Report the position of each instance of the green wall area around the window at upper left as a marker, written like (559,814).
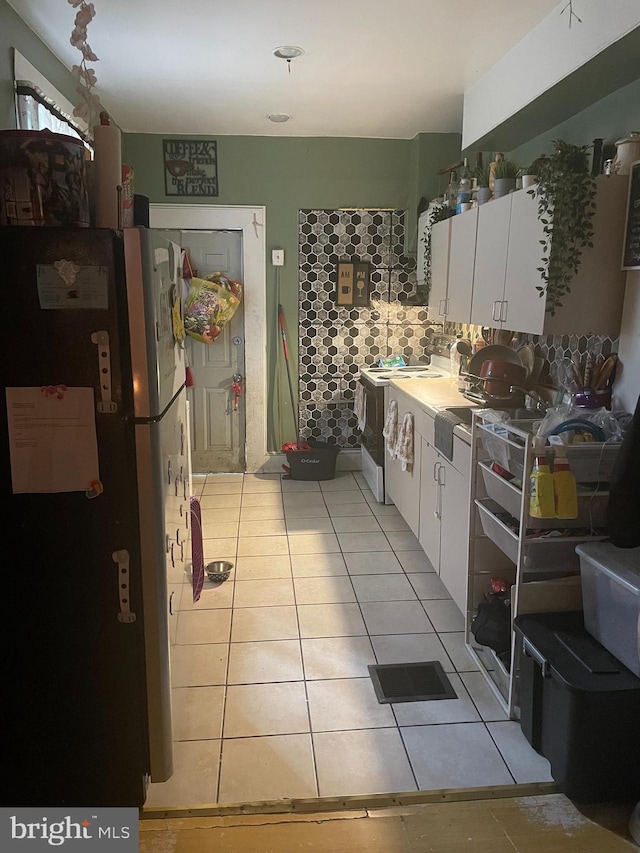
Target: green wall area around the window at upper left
(15,33)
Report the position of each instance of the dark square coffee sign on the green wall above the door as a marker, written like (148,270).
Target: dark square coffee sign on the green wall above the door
(190,167)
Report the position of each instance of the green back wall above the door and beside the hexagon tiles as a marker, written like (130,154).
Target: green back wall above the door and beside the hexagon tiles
(289,173)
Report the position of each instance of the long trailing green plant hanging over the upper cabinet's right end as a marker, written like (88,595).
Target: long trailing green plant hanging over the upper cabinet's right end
(565,193)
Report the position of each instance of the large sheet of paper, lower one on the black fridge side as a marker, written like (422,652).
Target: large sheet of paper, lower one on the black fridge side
(53,443)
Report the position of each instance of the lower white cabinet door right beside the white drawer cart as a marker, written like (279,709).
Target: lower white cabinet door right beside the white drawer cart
(454,533)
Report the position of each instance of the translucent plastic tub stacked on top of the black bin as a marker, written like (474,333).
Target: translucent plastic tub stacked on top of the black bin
(611,599)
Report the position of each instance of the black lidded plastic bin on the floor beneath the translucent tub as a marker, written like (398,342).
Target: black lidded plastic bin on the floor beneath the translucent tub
(579,708)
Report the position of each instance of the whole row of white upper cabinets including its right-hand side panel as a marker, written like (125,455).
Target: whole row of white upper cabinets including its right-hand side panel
(494,256)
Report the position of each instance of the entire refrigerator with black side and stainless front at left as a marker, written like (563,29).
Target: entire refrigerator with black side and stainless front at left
(95,496)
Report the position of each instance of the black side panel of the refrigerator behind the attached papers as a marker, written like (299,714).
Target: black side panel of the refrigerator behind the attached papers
(75,712)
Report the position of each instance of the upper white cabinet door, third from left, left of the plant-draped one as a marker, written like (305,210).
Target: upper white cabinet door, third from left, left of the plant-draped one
(490,262)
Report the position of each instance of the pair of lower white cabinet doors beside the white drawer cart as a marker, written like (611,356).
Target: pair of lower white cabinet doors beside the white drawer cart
(444,523)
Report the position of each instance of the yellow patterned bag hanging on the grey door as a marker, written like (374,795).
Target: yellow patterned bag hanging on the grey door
(211,302)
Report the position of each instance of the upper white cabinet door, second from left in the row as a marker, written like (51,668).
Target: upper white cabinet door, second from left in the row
(461,261)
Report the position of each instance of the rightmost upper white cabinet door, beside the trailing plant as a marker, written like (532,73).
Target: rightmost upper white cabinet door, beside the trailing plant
(524,308)
